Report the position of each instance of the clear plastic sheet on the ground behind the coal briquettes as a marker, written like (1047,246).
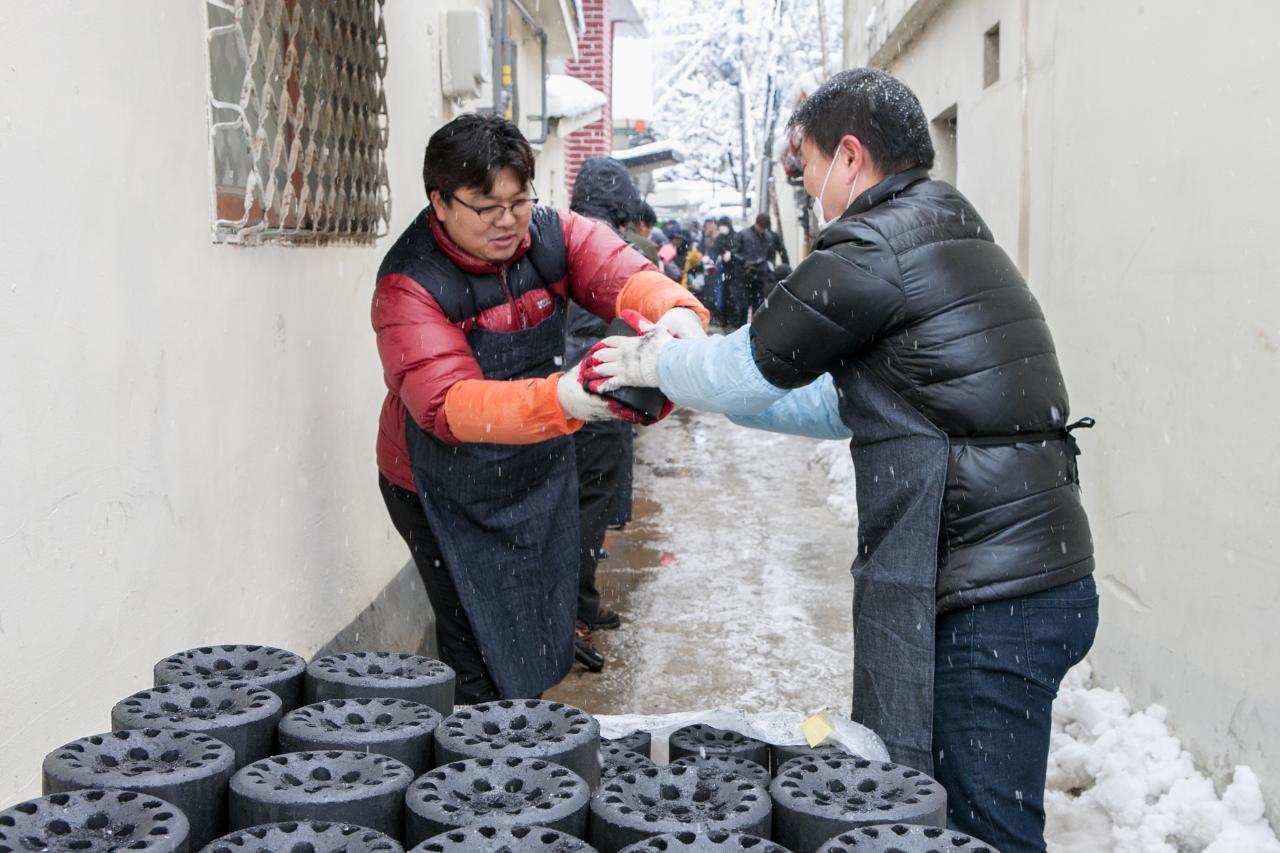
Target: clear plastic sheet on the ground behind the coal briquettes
(779,728)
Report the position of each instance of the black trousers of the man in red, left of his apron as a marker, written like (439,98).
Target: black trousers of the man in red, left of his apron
(454,635)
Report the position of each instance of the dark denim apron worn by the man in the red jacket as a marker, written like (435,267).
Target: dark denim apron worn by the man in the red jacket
(506,519)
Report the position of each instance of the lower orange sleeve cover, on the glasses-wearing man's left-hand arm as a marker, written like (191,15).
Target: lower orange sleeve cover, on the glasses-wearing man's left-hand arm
(520,412)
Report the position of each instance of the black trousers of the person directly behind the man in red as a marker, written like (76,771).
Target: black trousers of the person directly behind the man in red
(598,450)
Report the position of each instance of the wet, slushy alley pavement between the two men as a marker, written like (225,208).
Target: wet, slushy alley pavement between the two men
(733,581)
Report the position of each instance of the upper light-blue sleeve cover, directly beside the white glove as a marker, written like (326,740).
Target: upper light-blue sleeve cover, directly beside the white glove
(717,375)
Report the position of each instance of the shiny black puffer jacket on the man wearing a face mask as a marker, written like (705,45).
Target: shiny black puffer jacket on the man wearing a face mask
(912,284)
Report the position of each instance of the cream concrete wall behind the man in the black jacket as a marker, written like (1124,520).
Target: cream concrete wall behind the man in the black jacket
(1127,159)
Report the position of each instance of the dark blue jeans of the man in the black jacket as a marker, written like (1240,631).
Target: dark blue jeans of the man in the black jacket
(996,674)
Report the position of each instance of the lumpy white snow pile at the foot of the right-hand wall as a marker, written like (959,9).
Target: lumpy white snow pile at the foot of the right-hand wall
(1118,781)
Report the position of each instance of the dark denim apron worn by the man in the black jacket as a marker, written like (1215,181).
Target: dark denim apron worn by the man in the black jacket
(900,466)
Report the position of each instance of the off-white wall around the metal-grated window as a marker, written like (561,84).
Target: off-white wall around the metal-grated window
(186,430)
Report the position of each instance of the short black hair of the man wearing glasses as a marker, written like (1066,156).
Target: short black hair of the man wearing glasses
(472,150)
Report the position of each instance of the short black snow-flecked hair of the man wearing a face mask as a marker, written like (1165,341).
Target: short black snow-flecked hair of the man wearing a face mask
(875,107)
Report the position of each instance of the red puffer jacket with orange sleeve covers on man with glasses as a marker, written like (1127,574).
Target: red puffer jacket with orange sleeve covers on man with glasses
(432,373)
